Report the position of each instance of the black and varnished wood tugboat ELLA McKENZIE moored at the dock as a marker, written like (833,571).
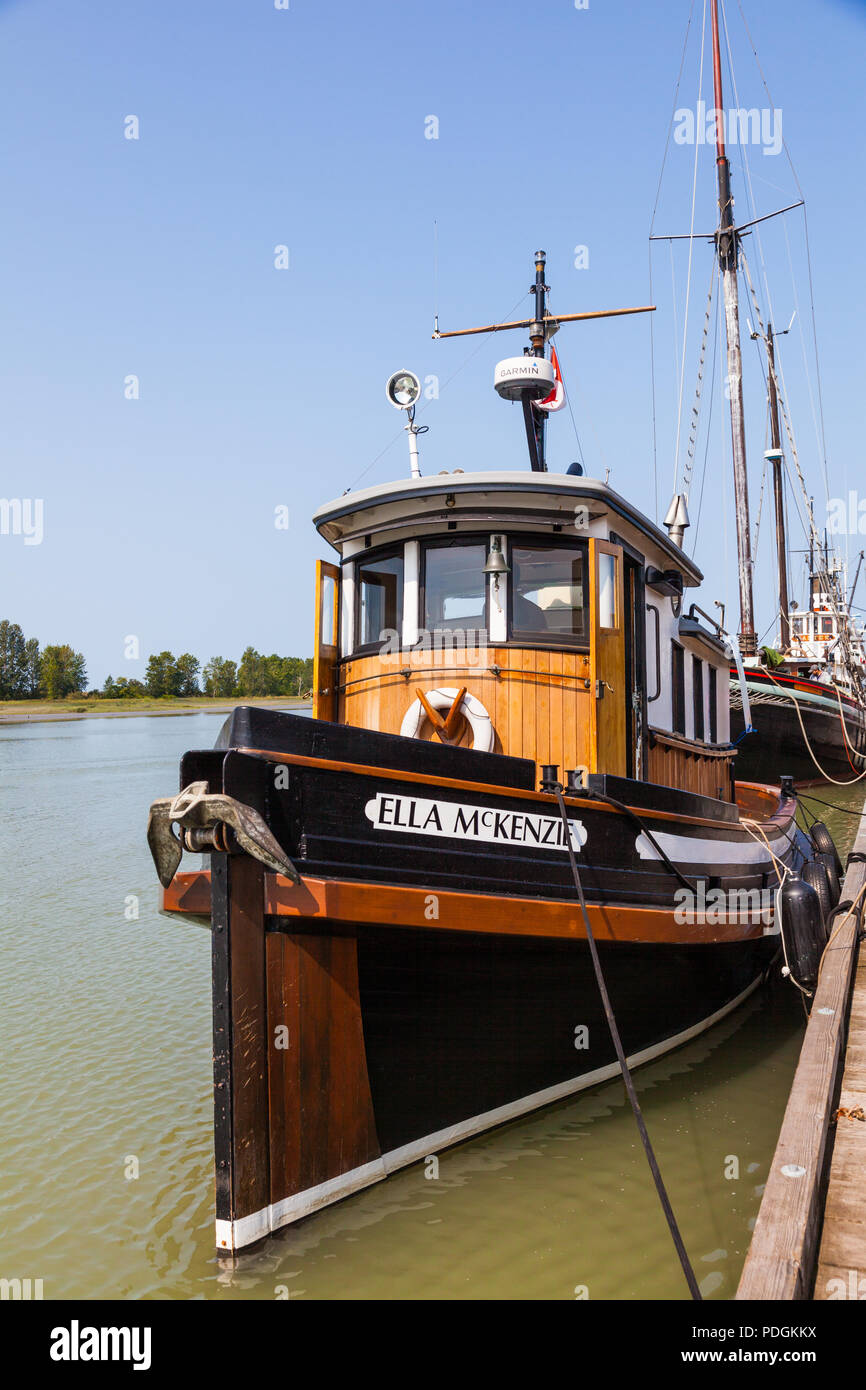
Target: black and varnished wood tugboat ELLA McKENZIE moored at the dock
(400,961)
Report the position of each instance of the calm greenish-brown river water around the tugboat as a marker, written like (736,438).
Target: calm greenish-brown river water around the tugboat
(106,1042)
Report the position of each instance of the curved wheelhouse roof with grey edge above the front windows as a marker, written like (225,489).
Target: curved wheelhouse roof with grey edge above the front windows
(525,497)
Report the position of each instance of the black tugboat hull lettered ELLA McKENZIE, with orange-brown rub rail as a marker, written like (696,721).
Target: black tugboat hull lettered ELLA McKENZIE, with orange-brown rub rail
(426,975)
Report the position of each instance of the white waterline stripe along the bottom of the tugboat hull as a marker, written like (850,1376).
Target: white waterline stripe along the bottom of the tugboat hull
(236,1235)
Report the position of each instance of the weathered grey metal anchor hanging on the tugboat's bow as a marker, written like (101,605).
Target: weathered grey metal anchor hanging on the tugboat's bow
(211,821)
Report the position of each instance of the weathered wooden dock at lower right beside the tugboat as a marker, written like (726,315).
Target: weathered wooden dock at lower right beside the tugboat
(811,1229)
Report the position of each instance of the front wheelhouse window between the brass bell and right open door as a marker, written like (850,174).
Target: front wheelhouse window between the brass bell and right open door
(548,587)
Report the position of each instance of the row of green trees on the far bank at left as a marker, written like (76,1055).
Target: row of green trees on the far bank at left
(56,672)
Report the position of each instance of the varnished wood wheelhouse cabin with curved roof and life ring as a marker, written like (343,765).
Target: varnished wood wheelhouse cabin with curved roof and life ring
(547,603)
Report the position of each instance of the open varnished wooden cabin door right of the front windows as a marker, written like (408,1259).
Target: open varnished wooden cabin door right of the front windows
(611,692)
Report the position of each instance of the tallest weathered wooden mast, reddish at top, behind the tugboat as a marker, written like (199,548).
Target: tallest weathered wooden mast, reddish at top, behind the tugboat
(728,244)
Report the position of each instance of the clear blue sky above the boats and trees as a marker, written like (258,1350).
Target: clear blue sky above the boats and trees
(261,387)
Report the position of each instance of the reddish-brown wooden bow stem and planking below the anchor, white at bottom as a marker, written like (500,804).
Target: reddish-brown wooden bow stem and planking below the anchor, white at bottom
(294,1121)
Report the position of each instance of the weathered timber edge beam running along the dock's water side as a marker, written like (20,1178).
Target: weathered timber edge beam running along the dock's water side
(783,1256)
